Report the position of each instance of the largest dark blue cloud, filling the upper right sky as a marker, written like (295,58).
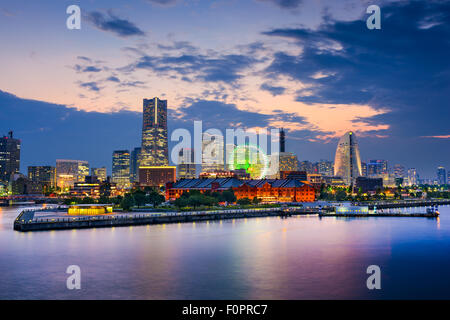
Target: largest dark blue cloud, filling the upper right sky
(403,68)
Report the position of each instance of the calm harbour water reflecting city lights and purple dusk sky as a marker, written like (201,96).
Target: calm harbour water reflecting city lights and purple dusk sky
(265,258)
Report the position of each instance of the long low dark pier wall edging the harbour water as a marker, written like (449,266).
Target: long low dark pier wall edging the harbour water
(26,221)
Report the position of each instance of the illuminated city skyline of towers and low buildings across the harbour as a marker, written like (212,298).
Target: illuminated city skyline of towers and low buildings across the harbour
(148,166)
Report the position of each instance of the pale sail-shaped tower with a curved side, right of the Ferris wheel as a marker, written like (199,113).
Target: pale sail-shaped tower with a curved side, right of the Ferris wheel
(347,163)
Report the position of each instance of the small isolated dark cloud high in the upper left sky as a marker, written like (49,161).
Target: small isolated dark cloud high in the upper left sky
(111,23)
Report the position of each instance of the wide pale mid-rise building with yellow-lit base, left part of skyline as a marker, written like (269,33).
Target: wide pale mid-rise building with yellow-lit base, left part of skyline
(70,171)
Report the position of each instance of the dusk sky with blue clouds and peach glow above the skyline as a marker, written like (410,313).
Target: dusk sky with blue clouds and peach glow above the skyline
(309,66)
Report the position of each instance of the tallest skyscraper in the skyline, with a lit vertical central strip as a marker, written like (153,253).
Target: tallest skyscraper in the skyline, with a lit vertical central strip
(154,149)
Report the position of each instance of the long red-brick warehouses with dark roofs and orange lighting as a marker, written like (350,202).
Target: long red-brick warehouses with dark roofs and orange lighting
(266,190)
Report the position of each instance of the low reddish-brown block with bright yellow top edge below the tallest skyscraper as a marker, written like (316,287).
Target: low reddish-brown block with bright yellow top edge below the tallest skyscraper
(156,176)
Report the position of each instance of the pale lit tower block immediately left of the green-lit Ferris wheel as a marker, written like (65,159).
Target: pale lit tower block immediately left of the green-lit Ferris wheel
(212,152)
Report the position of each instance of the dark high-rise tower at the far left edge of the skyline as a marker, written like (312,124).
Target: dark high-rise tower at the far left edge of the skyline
(9,157)
